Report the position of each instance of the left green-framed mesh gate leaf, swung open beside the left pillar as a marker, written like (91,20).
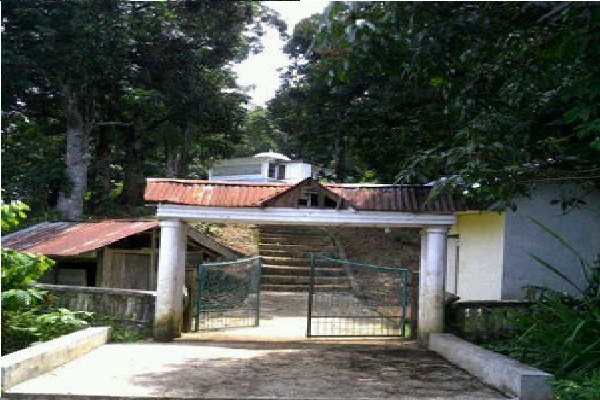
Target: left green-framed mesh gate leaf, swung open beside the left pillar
(228,295)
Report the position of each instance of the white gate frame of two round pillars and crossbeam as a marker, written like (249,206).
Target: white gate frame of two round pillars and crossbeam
(171,259)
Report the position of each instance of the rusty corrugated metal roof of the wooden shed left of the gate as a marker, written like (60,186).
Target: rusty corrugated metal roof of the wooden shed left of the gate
(70,238)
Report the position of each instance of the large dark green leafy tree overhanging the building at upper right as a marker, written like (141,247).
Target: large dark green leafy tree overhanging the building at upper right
(497,78)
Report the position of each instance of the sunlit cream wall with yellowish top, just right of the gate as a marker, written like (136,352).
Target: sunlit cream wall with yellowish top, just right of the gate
(480,255)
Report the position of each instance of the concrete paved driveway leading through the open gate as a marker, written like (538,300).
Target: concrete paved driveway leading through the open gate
(236,366)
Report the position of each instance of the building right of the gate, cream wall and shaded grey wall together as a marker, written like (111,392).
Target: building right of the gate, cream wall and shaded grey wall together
(489,253)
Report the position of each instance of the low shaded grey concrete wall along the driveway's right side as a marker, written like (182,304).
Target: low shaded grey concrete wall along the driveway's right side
(508,375)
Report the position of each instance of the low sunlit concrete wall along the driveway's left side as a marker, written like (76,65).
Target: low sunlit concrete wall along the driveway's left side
(36,360)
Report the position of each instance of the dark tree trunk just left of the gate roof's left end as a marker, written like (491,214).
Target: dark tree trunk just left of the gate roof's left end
(133,179)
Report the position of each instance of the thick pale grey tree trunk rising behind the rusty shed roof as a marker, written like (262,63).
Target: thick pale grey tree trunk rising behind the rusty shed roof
(70,199)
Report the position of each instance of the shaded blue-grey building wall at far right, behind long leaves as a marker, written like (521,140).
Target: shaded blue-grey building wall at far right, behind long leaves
(579,227)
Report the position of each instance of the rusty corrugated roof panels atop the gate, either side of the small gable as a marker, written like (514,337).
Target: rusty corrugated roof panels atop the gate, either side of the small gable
(367,197)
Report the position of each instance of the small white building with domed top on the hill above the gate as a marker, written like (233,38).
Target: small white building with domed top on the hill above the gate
(263,167)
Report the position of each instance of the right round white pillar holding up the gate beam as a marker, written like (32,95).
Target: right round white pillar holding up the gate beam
(431,281)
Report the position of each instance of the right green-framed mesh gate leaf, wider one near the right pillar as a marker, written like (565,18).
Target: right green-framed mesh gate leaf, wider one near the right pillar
(354,299)
